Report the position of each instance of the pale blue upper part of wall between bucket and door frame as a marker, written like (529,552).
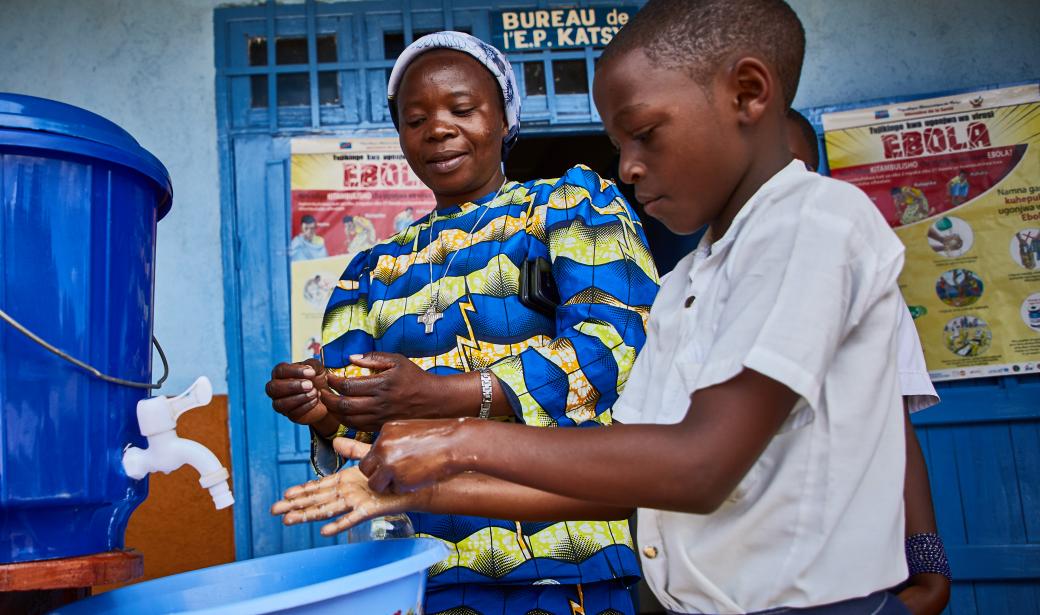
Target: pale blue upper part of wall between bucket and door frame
(148,66)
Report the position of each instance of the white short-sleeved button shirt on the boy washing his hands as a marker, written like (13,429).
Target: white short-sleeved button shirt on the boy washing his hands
(802,289)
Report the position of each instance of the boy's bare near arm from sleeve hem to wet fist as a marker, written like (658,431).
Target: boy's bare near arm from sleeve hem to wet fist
(692,467)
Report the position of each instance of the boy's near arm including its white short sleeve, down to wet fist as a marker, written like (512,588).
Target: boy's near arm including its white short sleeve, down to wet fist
(771,348)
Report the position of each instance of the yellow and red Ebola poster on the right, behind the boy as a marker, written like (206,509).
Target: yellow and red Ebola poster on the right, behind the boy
(958,178)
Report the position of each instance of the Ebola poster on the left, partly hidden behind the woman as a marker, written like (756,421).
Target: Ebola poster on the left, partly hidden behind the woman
(347,195)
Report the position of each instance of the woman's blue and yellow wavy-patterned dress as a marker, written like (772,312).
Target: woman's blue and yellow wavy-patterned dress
(562,372)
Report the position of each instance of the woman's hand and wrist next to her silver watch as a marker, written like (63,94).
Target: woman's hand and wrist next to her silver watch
(398,390)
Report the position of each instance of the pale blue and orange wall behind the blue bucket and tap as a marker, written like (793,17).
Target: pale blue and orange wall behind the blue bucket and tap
(148,66)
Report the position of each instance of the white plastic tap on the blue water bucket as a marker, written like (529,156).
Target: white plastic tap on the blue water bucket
(167,452)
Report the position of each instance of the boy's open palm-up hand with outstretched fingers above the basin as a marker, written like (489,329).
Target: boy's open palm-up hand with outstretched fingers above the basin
(346,494)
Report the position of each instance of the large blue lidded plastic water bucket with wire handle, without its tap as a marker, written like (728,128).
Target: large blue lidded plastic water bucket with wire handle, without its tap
(80,201)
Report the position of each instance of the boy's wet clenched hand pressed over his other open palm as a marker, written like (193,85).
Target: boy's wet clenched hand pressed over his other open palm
(411,455)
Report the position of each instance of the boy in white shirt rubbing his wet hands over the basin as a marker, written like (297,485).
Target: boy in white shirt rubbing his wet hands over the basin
(769,467)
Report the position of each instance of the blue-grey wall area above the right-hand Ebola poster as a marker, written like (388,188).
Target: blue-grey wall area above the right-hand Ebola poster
(866,49)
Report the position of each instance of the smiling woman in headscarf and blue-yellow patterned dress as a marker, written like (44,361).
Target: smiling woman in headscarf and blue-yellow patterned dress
(515,301)
